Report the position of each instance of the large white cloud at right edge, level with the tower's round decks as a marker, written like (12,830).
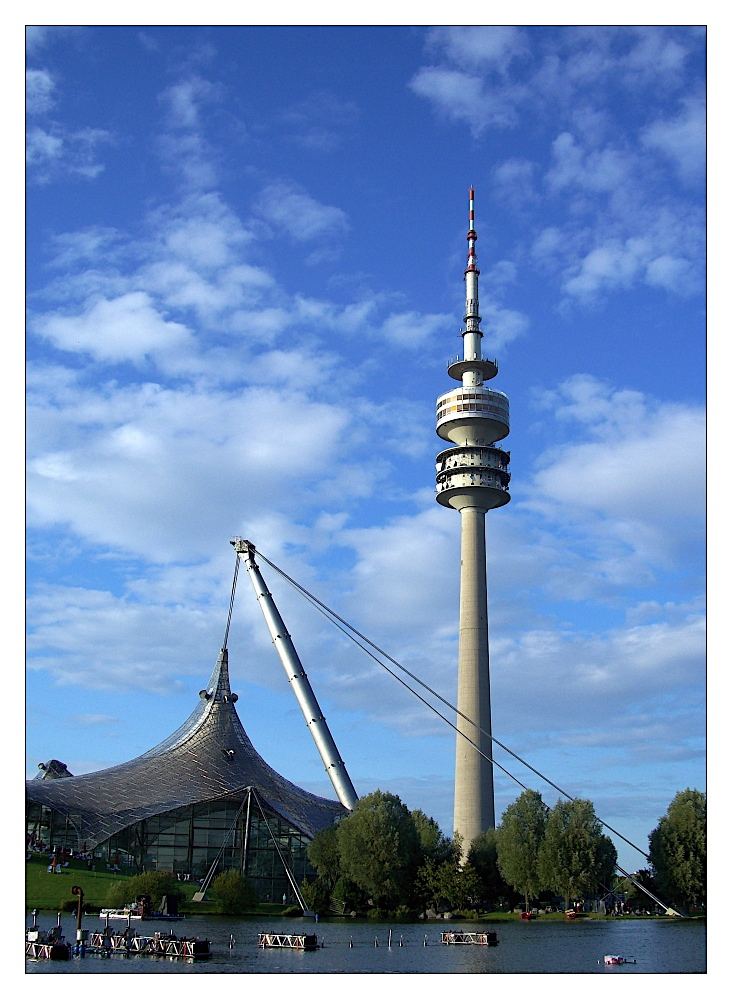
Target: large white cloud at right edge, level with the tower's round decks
(637,479)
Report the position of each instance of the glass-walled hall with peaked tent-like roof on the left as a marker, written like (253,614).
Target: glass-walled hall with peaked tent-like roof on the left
(201,793)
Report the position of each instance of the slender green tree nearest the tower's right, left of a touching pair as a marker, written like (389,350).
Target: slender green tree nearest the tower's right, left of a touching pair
(518,841)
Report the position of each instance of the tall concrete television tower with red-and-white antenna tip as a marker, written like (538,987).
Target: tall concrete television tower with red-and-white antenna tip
(473,477)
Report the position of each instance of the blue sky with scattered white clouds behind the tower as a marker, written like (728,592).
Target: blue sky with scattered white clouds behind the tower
(244,279)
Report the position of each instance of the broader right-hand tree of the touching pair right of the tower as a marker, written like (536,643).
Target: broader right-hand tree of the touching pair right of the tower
(575,857)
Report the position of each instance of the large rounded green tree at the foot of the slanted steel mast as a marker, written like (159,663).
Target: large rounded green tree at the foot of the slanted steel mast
(379,848)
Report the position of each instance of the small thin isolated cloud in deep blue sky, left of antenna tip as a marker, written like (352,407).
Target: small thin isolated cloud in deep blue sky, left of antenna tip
(286,208)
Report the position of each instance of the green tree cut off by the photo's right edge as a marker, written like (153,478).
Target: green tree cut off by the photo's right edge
(678,849)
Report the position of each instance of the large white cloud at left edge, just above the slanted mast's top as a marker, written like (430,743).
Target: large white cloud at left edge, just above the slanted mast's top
(158,472)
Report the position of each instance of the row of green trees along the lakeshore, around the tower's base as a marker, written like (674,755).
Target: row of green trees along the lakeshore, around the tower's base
(386,859)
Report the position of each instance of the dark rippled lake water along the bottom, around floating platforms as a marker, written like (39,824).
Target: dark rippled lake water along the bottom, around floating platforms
(659,946)
